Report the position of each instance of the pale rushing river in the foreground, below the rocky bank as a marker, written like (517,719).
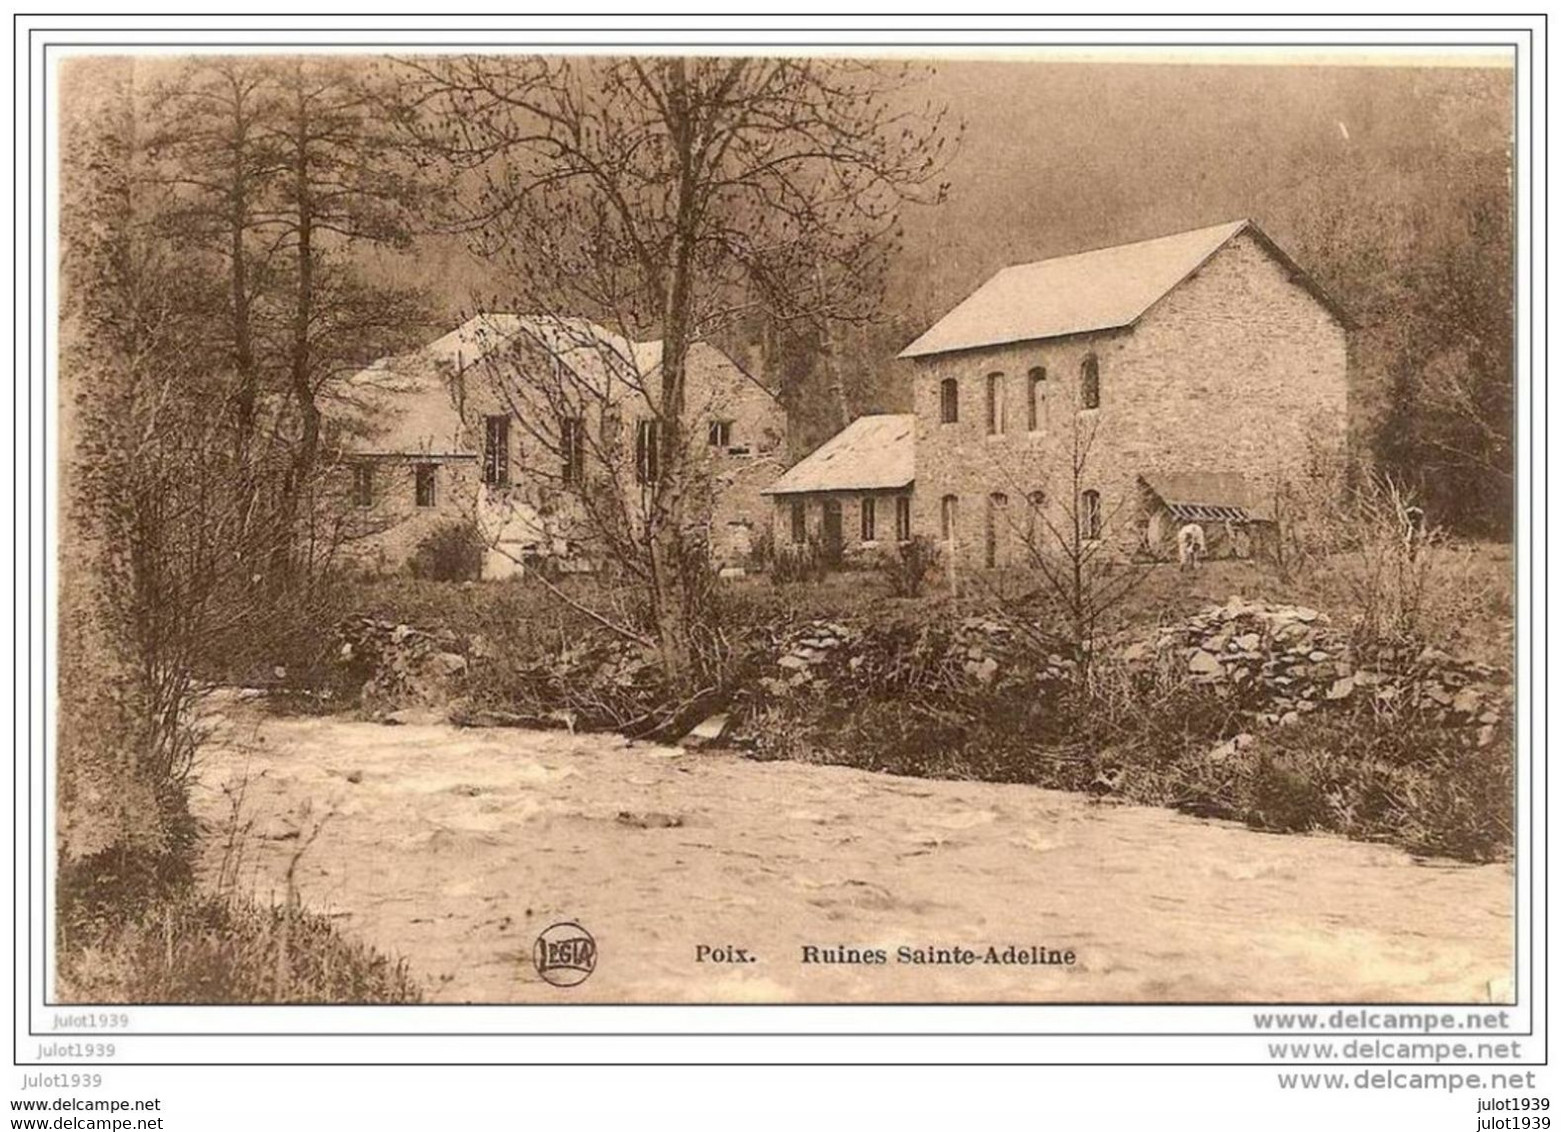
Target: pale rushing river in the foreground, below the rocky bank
(457,849)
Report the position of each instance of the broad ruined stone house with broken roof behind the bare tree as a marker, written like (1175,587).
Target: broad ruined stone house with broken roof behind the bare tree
(507,421)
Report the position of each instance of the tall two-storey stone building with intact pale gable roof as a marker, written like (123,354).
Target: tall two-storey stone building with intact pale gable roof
(1131,388)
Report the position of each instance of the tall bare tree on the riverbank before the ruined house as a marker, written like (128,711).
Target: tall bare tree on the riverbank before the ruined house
(666,198)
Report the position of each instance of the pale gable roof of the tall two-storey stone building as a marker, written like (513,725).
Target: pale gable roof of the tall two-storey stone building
(1090,291)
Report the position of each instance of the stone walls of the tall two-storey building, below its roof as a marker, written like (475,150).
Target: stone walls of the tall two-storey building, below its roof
(1234,371)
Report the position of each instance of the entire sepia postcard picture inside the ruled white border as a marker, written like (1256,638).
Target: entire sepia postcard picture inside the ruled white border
(786,527)
